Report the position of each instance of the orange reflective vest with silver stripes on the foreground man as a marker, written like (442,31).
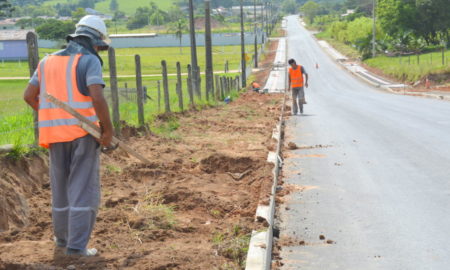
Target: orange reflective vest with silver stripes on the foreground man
(57,77)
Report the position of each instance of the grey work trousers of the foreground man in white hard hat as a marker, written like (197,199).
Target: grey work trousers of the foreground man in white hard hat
(75,183)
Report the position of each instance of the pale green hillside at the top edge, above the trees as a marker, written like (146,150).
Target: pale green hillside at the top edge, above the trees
(129,7)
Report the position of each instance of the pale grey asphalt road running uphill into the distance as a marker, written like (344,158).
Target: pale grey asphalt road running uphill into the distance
(379,186)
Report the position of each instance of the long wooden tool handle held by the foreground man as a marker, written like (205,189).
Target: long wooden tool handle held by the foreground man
(92,129)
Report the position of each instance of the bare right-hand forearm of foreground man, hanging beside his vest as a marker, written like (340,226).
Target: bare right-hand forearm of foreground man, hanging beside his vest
(102,111)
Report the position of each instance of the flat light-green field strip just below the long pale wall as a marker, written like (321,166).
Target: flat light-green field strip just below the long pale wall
(150,60)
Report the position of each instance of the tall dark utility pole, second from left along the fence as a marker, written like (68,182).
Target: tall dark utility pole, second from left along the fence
(208,48)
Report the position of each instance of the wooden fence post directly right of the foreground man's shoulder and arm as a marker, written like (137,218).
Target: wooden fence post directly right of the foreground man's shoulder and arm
(114,90)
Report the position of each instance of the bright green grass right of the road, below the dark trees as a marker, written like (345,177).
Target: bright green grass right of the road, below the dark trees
(410,68)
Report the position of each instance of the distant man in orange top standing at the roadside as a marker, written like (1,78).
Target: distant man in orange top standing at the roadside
(297,83)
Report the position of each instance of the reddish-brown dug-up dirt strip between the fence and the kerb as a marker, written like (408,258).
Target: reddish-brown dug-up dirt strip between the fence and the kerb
(192,207)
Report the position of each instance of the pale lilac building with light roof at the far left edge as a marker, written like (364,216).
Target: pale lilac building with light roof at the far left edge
(13,45)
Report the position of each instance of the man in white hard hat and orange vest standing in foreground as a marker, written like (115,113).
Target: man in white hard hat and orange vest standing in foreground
(74,76)
